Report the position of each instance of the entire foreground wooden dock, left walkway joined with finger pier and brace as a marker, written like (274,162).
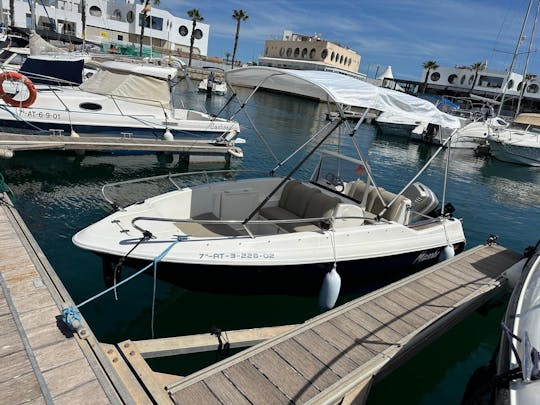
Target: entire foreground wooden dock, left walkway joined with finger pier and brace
(333,357)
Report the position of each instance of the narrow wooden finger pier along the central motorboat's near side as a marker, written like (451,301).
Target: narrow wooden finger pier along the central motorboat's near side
(338,354)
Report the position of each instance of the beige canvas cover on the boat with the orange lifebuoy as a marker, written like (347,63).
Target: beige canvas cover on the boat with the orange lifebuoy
(143,89)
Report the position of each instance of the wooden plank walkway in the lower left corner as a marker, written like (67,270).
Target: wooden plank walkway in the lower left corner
(41,361)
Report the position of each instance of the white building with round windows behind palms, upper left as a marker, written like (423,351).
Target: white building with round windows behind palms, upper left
(111,21)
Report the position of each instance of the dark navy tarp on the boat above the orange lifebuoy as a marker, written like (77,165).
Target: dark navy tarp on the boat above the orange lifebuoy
(52,71)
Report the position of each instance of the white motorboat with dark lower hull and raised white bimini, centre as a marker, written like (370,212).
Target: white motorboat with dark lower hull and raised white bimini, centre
(276,234)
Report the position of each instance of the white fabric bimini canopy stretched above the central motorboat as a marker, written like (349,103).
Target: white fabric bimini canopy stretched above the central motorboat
(341,89)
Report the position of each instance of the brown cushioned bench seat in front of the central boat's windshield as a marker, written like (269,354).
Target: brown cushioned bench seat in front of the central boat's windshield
(300,201)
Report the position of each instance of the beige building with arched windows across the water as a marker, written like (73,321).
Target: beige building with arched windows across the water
(309,52)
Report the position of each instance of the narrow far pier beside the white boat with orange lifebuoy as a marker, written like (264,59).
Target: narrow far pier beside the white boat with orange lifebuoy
(10,143)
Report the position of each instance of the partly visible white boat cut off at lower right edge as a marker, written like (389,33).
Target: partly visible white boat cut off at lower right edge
(518,364)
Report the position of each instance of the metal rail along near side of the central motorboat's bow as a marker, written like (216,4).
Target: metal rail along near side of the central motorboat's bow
(326,223)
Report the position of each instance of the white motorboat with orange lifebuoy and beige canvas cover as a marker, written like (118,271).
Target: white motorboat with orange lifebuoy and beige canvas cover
(122,99)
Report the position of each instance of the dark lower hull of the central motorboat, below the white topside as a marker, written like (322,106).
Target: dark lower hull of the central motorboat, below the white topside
(300,279)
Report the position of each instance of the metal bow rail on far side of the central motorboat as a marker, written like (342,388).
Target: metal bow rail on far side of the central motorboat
(204,174)
